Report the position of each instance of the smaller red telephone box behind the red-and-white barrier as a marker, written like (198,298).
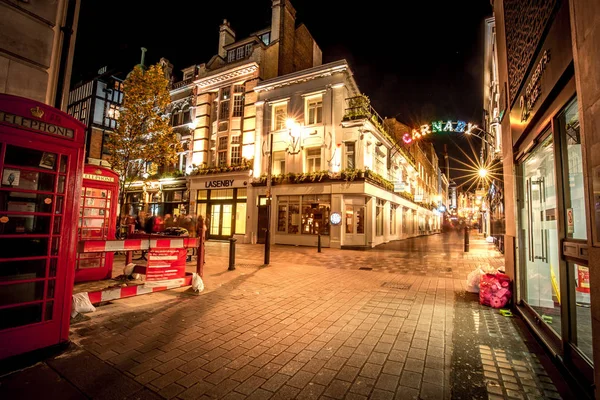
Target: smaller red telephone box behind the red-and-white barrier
(97,221)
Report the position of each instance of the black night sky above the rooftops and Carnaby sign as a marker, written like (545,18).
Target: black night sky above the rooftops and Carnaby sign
(416,60)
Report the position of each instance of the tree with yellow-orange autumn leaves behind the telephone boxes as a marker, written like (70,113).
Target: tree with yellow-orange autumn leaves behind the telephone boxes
(143,136)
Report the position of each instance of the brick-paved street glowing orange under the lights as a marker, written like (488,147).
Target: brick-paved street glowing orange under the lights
(308,326)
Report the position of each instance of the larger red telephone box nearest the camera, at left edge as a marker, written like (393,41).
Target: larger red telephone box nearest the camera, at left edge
(41,164)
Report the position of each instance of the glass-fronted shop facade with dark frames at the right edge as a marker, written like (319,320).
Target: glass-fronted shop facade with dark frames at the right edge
(547,72)
